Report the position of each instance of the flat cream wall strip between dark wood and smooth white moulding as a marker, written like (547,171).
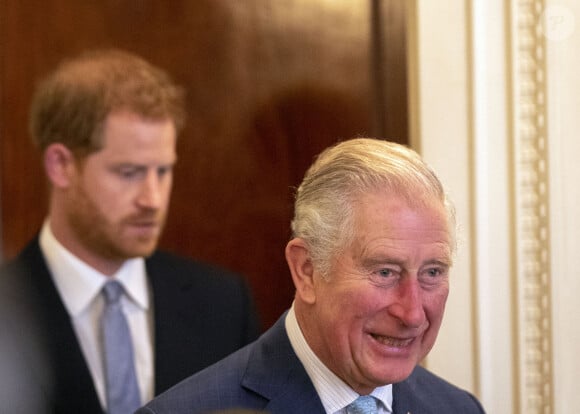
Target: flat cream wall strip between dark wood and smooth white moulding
(440,124)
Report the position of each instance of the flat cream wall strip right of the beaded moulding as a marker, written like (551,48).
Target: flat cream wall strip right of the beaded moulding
(563,52)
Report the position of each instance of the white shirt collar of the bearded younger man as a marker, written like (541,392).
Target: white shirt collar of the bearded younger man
(79,284)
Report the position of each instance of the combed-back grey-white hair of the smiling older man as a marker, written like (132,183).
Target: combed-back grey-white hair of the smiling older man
(334,184)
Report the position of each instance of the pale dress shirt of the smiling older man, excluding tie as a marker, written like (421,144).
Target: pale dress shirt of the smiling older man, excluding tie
(334,393)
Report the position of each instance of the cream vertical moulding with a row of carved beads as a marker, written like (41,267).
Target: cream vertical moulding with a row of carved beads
(532,209)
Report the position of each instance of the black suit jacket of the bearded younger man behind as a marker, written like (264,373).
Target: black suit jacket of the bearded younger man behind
(201,314)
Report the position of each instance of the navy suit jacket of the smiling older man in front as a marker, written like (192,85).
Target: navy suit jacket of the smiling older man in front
(267,376)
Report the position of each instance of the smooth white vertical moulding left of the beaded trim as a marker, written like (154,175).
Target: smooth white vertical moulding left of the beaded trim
(491,204)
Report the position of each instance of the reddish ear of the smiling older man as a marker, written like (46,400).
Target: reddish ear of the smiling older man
(302,270)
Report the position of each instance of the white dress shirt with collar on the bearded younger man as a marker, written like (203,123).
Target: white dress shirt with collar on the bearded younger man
(79,286)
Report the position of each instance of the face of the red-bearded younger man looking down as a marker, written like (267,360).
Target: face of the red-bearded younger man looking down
(120,194)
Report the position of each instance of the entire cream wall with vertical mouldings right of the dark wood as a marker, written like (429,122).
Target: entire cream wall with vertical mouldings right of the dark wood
(496,107)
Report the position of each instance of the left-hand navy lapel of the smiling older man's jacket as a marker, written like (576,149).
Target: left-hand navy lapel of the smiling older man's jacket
(275,372)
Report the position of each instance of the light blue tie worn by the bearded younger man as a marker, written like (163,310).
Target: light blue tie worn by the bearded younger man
(120,379)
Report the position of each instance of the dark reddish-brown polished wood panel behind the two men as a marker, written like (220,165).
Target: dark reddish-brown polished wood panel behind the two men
(270,83)
